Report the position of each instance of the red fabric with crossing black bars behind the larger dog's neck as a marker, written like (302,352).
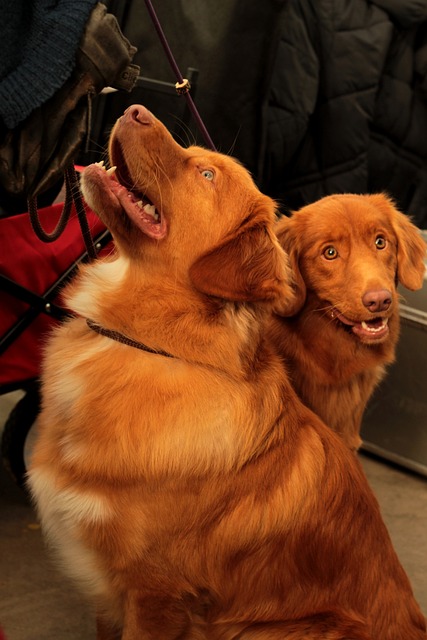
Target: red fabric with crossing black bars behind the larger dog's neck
(37,266)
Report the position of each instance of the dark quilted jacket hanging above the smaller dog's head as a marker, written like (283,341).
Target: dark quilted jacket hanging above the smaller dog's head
(346,107)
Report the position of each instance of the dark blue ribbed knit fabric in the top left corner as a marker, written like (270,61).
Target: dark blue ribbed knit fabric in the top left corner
(39,42)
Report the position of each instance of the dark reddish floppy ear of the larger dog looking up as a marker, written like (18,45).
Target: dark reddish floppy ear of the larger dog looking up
(250,266)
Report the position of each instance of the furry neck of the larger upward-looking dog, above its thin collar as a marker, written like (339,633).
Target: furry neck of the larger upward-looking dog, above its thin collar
(164,316)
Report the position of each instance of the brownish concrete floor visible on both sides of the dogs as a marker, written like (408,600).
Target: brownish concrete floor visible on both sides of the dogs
(37,604)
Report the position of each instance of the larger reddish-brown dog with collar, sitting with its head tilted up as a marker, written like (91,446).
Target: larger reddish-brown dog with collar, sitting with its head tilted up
(181,481)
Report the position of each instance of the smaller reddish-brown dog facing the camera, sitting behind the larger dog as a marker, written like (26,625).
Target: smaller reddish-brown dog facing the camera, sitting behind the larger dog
(348,252)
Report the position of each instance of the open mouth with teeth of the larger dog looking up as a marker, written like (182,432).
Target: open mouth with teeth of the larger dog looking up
(136,205)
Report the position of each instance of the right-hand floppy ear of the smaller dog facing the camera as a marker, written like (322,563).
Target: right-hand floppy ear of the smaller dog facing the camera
(411,248)
